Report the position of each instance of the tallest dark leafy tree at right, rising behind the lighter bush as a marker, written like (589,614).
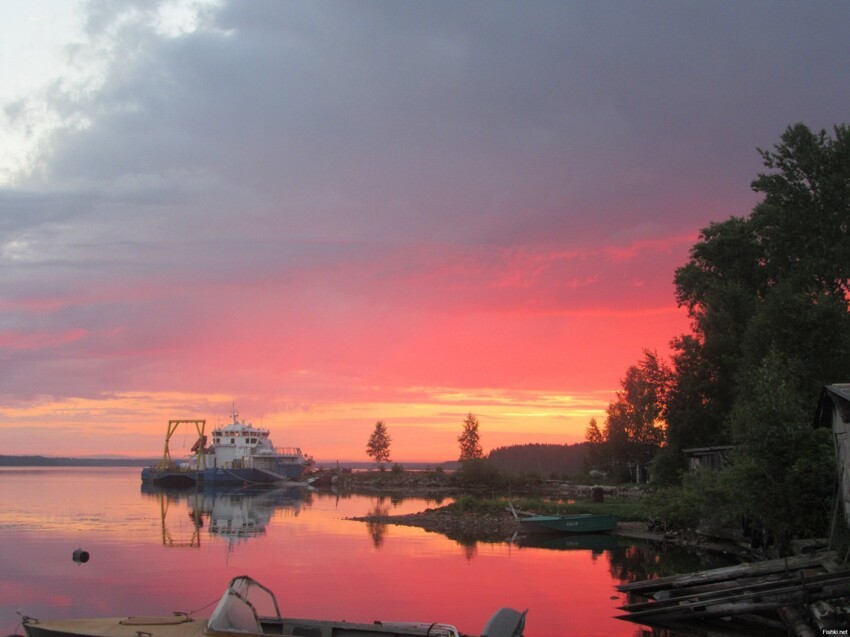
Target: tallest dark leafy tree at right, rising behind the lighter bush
(776,281)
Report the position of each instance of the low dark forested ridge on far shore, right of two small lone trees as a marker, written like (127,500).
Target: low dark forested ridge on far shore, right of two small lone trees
(545,460)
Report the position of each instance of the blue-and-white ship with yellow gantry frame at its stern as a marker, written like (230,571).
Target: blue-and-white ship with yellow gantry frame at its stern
(238,455)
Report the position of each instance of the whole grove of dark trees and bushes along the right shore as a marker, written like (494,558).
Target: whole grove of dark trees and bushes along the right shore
(767,296)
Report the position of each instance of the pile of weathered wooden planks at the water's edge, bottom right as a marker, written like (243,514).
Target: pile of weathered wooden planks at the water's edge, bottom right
(761,598)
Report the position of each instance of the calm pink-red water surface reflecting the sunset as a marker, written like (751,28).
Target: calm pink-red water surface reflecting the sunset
(154,553)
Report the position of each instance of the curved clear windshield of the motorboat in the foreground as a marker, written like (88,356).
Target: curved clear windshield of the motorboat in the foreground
(241,607)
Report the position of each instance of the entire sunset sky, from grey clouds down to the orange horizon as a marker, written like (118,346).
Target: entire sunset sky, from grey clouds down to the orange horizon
(330,213)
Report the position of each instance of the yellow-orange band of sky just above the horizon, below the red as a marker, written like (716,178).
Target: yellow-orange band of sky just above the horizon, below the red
(133,425)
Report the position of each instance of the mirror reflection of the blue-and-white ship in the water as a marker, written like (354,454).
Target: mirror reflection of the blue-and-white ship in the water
(234,514)
